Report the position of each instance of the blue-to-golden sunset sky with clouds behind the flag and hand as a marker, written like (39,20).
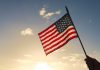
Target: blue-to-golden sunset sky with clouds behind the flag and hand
(22,20)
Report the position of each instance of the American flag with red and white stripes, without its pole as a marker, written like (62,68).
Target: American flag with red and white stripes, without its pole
(58,34)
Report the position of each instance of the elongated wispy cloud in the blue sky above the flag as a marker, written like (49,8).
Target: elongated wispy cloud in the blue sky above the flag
(46,14)
